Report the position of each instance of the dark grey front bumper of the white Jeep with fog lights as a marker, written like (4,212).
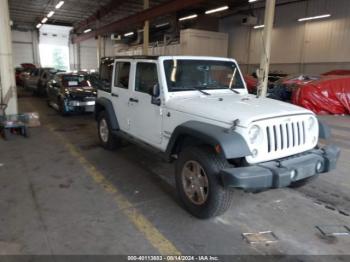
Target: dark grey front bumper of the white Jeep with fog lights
(283,172)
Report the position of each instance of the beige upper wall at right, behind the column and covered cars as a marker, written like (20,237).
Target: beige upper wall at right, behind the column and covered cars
(309,47)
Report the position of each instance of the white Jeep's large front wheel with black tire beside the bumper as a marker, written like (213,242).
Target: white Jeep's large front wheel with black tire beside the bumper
(198,183)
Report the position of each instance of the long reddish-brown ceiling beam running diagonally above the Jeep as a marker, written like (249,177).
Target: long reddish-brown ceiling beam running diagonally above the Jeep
(140,17)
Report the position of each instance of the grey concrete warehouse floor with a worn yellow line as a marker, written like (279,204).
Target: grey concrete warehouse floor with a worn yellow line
(60,193)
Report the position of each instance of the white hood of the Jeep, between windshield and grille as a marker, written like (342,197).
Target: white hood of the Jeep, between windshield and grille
(230,107)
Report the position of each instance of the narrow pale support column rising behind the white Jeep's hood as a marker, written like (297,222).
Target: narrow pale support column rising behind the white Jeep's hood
(263,71)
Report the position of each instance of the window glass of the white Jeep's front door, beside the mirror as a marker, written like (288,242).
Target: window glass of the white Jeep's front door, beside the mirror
(146,77)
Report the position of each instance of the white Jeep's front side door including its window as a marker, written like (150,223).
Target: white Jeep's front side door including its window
(146,118)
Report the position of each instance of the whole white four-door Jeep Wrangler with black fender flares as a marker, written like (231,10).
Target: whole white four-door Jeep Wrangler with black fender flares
(197,111)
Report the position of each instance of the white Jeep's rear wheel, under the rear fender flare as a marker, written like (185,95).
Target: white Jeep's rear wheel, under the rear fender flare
(107,139)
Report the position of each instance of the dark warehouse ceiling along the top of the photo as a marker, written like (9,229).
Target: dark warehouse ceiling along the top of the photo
(92,15)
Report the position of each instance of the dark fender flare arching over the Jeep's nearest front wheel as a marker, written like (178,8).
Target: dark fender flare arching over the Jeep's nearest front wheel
(232,145)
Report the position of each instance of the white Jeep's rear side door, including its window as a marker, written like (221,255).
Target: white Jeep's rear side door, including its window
(121,92)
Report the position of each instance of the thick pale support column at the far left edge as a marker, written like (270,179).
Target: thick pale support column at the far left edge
(8,89)
